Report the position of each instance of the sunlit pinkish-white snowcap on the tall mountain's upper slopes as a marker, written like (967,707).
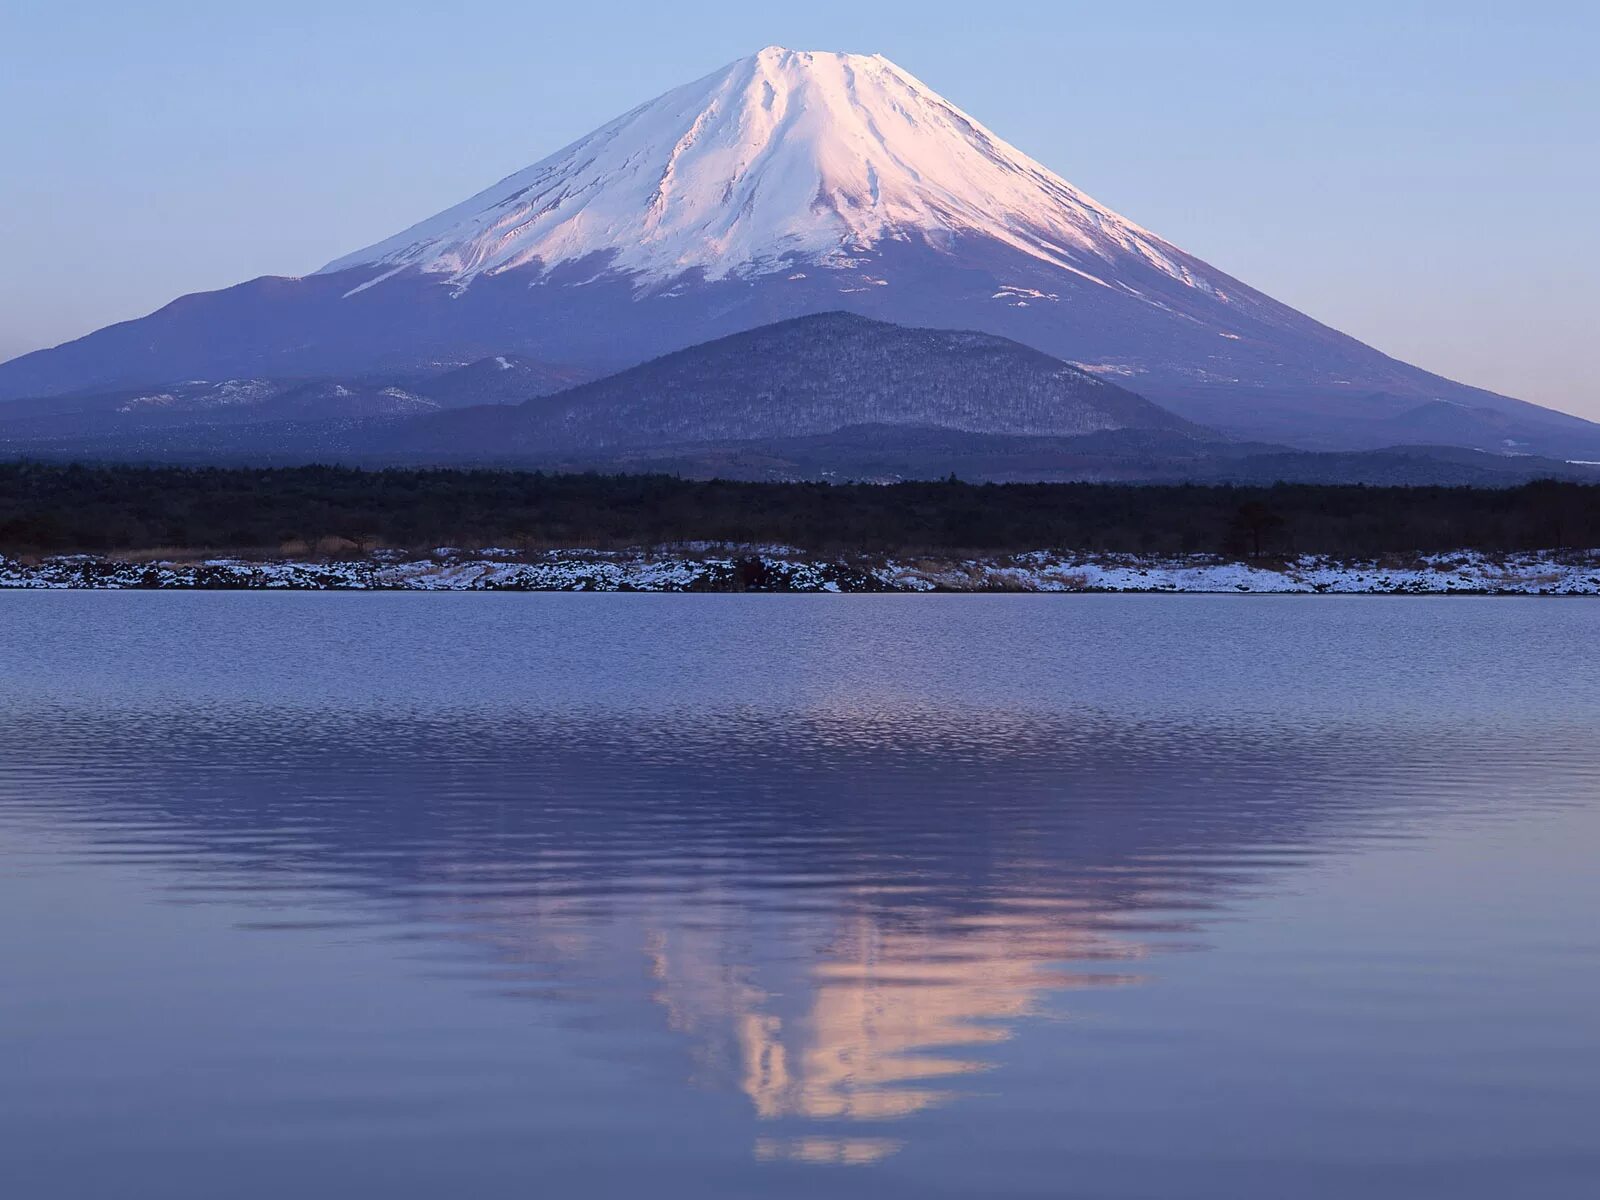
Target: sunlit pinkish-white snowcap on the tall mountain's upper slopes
(778,158)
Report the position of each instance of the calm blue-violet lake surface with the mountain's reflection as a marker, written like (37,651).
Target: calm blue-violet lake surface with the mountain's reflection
(729,897)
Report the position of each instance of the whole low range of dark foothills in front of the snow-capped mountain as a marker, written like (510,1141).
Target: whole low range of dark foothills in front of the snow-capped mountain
(825,398)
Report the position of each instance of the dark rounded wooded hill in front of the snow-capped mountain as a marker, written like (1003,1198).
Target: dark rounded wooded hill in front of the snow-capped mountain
(799,378)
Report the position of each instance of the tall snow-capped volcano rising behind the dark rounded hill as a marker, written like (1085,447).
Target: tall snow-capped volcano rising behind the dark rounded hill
(788,185)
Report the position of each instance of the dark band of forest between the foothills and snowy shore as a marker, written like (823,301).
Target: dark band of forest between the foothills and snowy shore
(50,508)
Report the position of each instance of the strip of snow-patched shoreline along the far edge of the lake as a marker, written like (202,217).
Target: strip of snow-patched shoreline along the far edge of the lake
(778,570)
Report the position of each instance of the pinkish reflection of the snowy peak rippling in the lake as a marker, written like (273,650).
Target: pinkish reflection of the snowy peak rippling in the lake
(889,1017)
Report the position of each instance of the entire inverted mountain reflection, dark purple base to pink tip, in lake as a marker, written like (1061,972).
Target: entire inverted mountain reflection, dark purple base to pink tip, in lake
(839,911)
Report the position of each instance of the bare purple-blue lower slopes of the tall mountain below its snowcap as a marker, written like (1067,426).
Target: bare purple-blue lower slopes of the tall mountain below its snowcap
(398,332)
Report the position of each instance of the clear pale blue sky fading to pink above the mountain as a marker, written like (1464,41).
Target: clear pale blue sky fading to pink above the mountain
(1423,177)
